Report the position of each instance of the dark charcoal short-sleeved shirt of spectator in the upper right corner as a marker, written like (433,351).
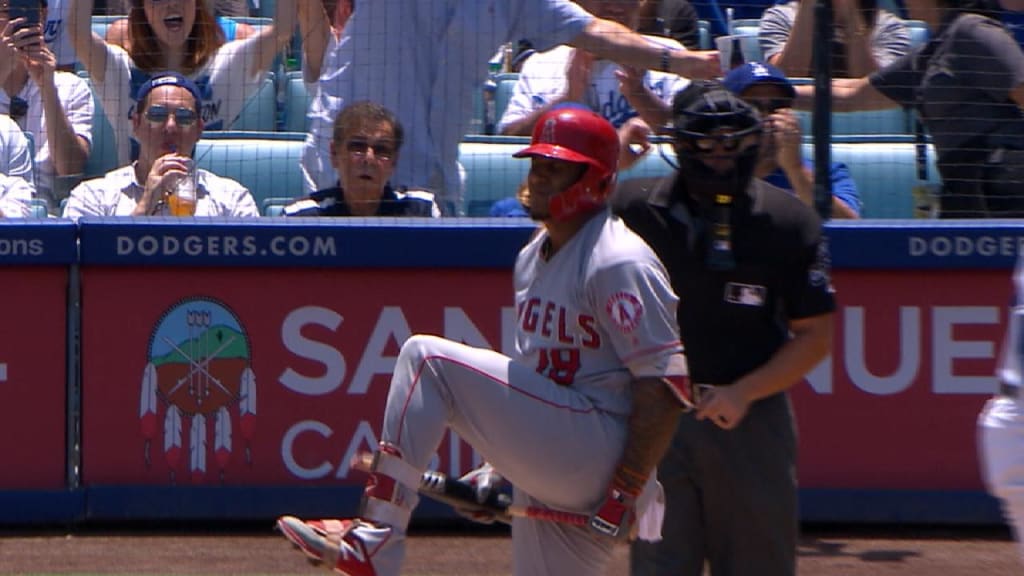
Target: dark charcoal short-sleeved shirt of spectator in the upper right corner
(960,84)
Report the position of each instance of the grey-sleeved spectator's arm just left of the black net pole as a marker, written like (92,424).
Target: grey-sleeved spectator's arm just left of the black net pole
(787,44)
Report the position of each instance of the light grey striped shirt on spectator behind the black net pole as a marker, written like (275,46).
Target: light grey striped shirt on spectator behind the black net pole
(890,37)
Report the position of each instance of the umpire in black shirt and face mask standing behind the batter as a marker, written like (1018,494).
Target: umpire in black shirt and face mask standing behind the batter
(751,268)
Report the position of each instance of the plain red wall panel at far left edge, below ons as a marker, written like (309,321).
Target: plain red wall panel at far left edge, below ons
(33,377)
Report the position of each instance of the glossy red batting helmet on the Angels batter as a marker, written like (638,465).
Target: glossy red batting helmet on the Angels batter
(578,135)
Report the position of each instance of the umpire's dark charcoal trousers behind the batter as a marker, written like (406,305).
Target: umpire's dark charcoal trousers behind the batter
(731,499)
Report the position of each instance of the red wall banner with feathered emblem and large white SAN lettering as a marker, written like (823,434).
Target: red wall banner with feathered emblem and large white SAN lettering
(242,377)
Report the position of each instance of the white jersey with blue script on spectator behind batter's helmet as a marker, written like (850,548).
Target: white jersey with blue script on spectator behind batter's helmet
(542,81)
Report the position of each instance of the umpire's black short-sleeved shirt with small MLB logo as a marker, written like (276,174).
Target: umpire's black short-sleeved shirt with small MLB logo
(733,322)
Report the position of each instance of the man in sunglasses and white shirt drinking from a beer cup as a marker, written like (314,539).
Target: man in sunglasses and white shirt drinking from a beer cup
(167,128)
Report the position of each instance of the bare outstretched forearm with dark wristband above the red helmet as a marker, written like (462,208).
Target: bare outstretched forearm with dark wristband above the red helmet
(610,40)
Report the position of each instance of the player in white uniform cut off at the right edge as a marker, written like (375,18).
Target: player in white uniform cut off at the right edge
(1001,425)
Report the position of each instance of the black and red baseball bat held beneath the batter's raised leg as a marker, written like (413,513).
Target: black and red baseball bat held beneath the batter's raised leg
(451,491)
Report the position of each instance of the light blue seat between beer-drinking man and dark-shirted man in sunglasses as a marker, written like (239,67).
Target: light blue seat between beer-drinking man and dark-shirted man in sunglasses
(267,163)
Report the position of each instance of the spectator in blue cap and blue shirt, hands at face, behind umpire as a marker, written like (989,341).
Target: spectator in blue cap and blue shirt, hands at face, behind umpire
(782,162)
